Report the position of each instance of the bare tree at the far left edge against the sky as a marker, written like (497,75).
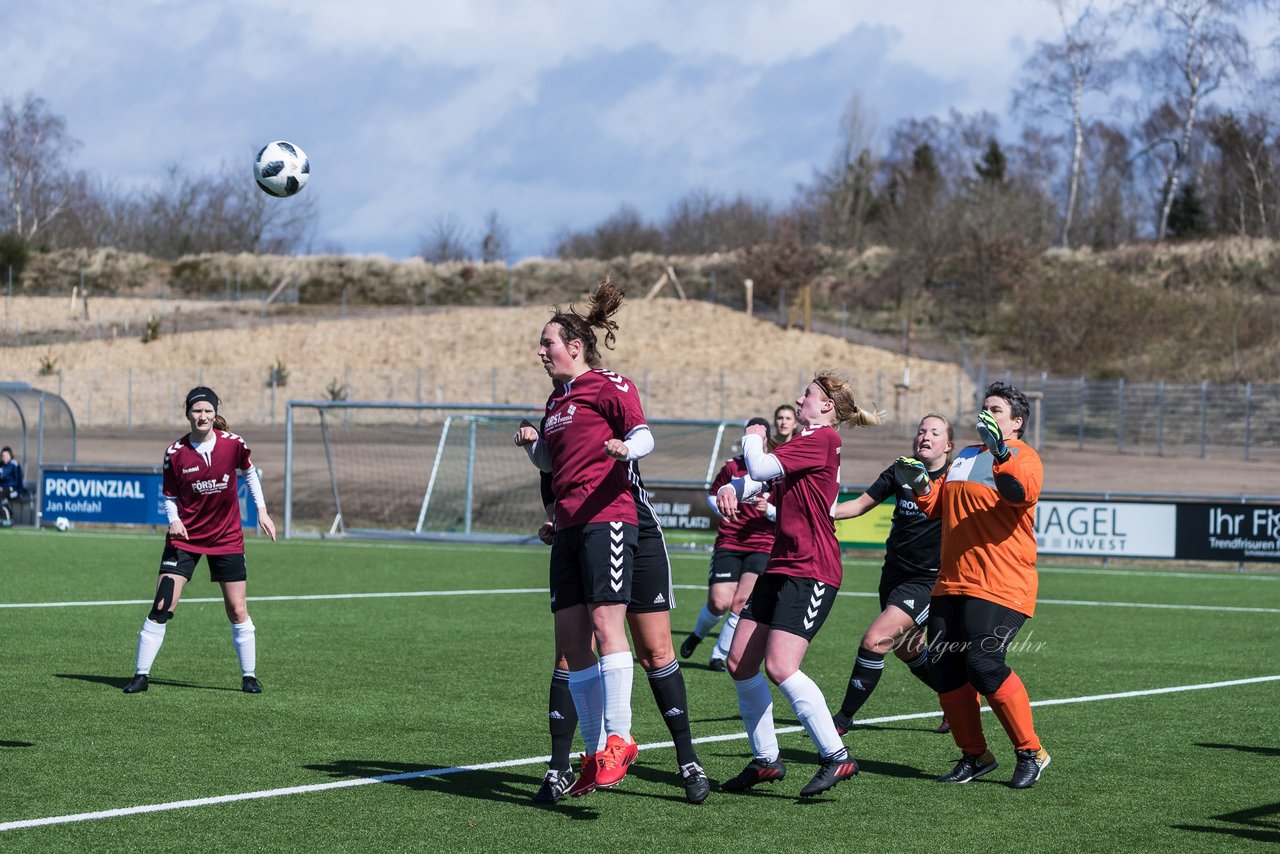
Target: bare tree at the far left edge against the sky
(34,166)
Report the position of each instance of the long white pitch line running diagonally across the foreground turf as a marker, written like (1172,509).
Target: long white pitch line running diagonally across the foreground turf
(511,764)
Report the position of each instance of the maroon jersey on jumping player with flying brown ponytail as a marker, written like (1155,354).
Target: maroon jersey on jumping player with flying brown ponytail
(582,417)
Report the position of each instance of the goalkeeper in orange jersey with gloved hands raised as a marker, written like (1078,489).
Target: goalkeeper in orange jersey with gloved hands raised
(988,582)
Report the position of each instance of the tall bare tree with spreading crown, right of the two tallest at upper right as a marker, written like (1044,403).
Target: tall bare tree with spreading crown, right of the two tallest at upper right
(1200,49)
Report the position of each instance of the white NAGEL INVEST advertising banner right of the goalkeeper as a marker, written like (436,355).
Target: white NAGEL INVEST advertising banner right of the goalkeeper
(1107,529)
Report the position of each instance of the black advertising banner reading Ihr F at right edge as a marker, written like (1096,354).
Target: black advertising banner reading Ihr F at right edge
(1229,532)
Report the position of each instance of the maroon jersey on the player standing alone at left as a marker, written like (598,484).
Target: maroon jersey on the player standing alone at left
(205,491)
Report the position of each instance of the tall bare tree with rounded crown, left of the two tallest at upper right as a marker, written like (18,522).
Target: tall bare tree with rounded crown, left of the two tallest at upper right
(1058,77)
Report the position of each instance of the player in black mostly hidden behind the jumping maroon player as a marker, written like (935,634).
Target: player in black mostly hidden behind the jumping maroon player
(650,620)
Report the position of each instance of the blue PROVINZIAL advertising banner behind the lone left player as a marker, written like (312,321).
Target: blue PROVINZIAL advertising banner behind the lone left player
(116,497)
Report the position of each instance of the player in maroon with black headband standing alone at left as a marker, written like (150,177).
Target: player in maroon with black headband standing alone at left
(200,485)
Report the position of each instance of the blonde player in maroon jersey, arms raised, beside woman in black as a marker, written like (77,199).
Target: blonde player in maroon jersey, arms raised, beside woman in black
(798,590)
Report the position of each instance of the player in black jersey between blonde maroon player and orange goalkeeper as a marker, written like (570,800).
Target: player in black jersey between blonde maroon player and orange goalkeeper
(909,573)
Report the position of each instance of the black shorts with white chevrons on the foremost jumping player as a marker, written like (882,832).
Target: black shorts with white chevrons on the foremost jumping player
(593,565)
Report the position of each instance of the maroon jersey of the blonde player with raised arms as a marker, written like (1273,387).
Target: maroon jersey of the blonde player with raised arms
(806,495)
